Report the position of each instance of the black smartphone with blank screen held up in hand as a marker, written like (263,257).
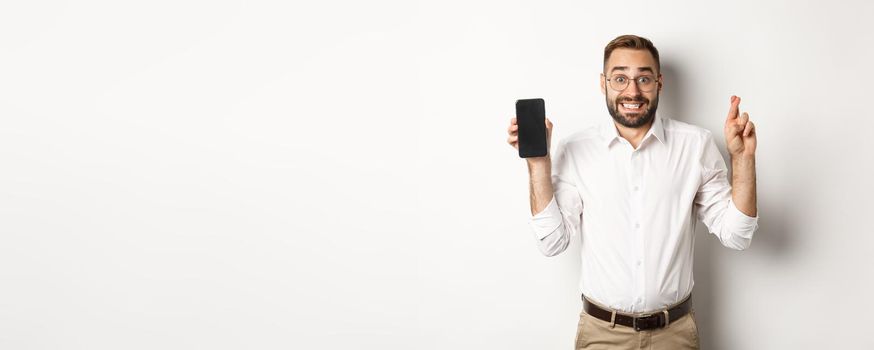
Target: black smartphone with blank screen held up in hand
(530,117)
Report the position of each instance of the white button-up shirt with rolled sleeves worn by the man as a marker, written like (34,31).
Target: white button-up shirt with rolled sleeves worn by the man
(635,210)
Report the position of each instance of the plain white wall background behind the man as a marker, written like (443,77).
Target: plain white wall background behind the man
(334,175)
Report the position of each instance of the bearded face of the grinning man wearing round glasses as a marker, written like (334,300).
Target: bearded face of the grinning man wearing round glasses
(631,107)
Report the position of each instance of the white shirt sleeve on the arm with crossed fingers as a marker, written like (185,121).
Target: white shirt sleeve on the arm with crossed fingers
(714,205)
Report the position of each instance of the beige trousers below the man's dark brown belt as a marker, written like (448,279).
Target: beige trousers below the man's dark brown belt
(594,333)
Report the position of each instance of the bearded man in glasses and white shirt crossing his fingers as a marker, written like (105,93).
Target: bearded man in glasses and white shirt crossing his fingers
(631,190)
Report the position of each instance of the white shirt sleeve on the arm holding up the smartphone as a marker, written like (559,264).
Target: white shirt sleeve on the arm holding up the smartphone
(561,220)
